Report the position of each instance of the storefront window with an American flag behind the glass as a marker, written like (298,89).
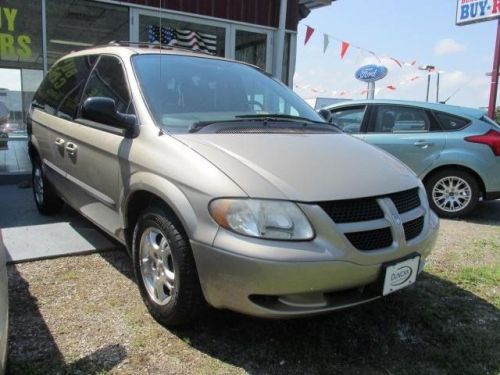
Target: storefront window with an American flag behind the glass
(210,39)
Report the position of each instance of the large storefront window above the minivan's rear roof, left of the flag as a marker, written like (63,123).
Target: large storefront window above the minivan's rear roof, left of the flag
(74,25)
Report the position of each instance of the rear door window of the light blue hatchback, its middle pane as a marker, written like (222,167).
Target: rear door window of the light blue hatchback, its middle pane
(399,119)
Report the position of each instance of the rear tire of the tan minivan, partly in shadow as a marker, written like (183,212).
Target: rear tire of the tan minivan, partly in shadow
(47,201)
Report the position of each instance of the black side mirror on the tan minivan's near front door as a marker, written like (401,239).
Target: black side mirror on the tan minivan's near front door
(103,110)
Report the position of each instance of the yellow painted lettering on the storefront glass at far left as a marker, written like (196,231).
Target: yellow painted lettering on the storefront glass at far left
(13,46)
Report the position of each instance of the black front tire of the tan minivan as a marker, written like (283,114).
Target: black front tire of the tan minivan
(185,300)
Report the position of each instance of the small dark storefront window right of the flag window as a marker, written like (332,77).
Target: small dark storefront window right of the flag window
(251,48)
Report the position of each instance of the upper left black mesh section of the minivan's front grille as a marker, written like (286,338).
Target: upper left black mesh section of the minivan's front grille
(352,210)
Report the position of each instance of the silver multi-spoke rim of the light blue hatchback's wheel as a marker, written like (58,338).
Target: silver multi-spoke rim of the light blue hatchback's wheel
(452,194)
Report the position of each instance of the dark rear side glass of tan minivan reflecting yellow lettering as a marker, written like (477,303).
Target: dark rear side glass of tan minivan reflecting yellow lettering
(60,91)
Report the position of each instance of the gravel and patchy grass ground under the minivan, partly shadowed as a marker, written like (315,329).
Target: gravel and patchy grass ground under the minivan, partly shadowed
(82,315)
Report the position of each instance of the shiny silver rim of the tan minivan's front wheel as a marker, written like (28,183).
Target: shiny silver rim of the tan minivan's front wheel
(157,266)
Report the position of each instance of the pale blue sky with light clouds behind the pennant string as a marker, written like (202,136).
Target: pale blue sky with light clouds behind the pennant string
(407,30)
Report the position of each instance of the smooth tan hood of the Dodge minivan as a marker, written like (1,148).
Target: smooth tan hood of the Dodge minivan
(303,167)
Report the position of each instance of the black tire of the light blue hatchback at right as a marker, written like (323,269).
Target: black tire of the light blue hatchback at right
(434,180)
